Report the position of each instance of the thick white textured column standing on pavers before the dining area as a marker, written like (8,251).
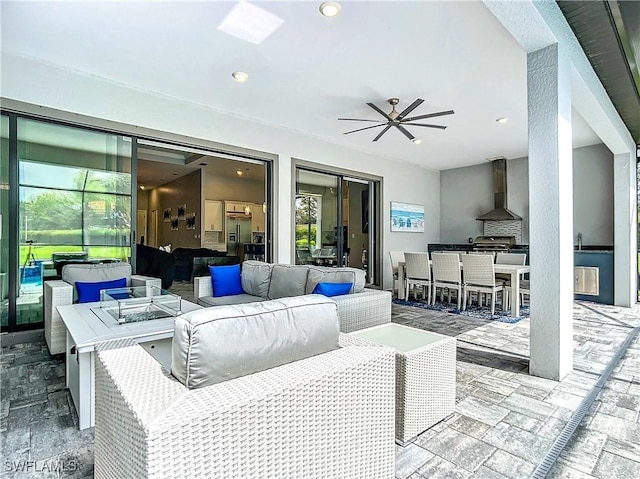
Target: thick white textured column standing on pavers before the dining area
(550,212)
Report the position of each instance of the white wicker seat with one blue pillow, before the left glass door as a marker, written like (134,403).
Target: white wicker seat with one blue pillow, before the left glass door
(62,292)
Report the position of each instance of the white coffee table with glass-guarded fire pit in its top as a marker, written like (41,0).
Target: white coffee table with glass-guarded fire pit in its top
(87,326)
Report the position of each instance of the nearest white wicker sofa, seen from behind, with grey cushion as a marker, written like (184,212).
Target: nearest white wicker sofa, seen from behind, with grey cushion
(327,416)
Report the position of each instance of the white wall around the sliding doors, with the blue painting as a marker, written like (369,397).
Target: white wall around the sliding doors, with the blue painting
(29,81)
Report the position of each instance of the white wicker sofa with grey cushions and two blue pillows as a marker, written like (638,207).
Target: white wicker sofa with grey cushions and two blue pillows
(361,308)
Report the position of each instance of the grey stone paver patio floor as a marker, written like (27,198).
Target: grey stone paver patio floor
(504,423)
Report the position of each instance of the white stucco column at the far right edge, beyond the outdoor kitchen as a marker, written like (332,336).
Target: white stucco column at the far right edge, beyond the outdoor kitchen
(625,253)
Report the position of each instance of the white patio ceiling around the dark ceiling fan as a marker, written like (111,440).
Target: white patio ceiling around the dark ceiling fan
(311,70)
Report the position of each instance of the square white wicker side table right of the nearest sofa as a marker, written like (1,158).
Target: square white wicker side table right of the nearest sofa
(425,374)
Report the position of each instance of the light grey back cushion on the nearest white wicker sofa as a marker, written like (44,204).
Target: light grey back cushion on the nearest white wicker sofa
(216,344)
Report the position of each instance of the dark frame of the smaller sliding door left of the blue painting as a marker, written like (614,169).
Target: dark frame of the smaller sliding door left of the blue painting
(374,266)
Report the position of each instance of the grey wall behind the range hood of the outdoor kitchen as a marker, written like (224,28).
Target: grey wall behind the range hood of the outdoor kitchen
(466,193)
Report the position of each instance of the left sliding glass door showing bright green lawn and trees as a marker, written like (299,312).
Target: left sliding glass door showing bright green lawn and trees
(74,204)
